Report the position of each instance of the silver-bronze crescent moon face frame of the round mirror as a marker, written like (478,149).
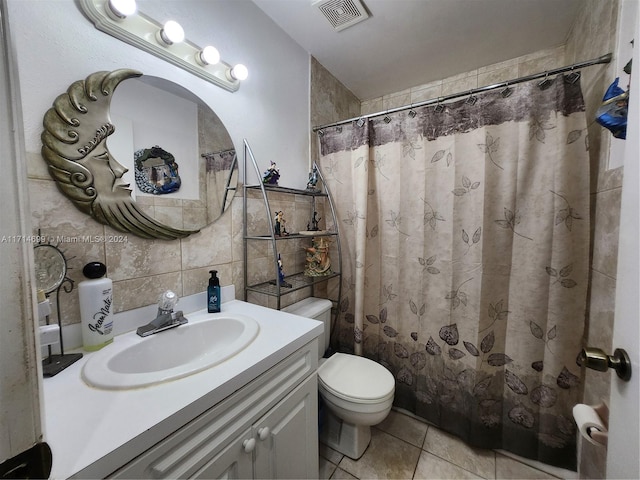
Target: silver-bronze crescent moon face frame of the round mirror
(74,139)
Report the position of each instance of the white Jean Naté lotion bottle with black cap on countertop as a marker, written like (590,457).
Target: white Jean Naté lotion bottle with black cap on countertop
(96,307)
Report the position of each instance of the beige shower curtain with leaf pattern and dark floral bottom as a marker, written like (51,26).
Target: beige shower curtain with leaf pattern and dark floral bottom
(465,233)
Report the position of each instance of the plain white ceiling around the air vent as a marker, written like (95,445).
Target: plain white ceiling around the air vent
(406,43)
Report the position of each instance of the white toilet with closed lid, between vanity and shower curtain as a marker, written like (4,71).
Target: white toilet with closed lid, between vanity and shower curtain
(357,392)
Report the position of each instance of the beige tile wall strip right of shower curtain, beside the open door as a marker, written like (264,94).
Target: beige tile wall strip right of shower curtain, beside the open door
(594,35)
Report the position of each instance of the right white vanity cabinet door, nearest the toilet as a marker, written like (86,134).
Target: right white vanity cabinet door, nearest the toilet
(287,436)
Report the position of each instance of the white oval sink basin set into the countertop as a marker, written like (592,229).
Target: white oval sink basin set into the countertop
(132,361)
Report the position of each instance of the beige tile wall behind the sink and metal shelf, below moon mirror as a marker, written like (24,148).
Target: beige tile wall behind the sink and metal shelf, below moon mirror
(142,269)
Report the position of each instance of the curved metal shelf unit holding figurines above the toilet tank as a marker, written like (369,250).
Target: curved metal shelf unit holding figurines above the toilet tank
(298,281)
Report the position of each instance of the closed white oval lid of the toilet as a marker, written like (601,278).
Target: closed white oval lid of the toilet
(358,378)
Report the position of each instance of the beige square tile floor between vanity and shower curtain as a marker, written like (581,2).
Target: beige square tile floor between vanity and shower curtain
(405,448)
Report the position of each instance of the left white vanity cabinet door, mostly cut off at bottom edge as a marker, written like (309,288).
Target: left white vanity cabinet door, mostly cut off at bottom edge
(234,462)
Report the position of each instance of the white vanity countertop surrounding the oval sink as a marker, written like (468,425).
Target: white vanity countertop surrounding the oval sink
(93,432)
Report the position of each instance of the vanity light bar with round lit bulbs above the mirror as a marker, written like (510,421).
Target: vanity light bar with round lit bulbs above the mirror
(142,31)
